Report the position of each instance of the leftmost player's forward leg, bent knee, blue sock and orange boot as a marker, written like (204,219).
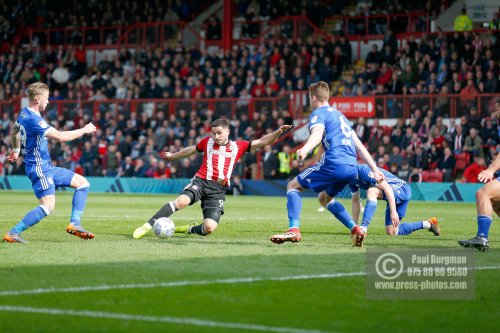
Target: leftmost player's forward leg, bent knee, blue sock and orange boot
(81,186)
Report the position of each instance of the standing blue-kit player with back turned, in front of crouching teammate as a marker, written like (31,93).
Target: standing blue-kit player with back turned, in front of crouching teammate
(335,169)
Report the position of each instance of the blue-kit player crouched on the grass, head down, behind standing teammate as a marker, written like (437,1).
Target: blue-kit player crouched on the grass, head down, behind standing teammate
(396,192)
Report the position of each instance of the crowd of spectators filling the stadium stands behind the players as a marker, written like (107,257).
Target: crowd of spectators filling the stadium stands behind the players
(129,145)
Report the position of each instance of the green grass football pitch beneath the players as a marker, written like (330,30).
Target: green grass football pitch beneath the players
(235,280)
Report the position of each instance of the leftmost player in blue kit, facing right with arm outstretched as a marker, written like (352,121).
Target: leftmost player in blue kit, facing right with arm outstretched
(29,136)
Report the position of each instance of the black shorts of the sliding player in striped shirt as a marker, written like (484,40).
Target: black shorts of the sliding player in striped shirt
(211,194)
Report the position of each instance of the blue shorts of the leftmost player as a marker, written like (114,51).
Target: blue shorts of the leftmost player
(44,180)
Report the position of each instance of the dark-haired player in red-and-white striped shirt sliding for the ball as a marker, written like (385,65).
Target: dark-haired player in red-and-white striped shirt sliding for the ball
(209,184)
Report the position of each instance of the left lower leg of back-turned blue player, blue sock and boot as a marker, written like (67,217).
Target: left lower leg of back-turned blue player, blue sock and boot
(294,207)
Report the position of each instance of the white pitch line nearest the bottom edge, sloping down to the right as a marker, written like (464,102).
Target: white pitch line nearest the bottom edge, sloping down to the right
(163,319)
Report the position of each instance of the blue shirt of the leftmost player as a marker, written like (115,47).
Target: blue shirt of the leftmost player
(32,129)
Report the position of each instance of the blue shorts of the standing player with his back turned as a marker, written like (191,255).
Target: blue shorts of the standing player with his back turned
(331,179)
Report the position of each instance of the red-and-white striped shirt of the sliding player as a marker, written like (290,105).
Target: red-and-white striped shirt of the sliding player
(218,161)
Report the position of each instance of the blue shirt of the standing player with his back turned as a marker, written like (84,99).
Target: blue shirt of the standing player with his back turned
(337,136)
